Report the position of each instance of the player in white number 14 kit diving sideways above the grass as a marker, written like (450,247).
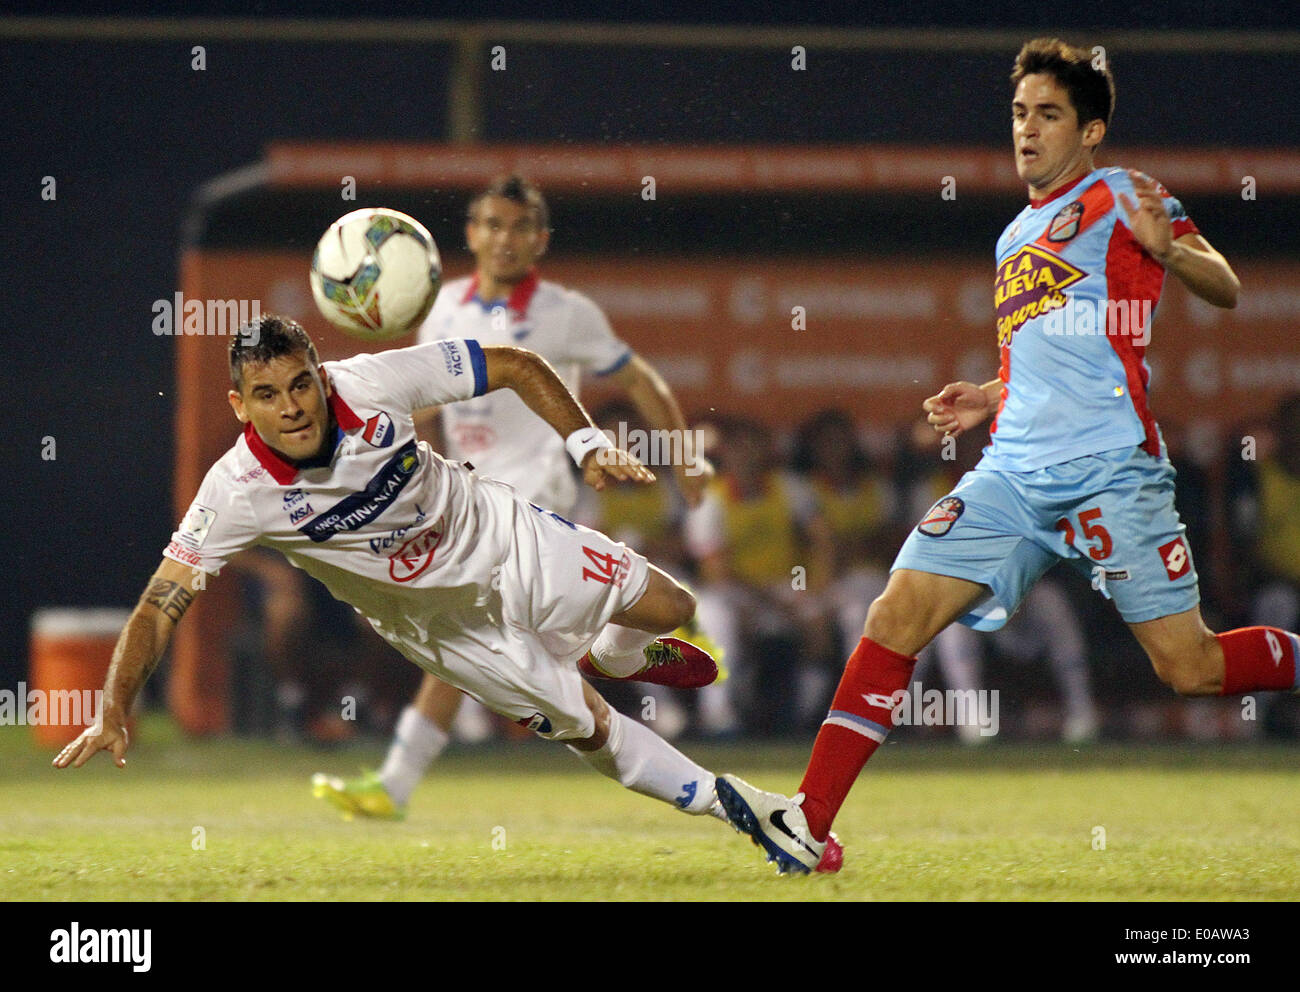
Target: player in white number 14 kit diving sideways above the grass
(461,575)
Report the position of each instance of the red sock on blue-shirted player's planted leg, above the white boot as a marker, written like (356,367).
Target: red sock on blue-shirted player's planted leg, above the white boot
(861,716)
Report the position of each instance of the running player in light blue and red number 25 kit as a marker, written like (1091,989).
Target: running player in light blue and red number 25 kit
(1076,469)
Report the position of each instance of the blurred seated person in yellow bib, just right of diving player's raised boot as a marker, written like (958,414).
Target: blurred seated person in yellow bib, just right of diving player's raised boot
(762,557)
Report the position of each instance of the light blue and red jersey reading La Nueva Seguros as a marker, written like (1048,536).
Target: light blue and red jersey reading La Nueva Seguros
(1074,296)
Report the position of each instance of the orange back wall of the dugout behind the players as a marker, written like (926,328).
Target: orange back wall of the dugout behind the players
(878,337)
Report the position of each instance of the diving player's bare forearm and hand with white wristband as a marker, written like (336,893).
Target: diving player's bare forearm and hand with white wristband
(536,383)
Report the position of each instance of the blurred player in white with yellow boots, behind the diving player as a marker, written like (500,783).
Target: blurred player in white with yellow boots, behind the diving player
(505,302)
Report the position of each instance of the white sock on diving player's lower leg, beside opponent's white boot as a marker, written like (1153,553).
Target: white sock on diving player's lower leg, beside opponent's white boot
(645,763)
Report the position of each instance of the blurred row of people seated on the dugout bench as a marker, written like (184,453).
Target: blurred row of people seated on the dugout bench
(786,555)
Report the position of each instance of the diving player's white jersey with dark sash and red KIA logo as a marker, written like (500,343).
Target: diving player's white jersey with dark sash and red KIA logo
(387,525)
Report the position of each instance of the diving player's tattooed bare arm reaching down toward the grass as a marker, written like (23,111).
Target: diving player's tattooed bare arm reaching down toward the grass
(140,649)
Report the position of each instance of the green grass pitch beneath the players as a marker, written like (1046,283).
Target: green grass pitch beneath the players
(531,822)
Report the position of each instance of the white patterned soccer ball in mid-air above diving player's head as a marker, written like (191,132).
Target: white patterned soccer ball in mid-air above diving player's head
(376,274)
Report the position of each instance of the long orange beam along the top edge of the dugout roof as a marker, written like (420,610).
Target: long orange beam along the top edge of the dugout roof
(749,170)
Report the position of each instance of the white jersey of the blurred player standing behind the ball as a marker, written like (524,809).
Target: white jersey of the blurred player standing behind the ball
(499,435)
